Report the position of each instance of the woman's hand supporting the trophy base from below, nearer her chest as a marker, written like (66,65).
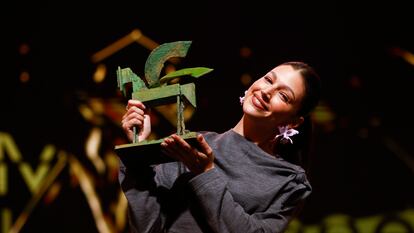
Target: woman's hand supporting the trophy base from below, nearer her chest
(196,160)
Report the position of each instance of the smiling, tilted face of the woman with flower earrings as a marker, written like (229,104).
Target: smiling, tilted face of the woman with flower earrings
(275,97)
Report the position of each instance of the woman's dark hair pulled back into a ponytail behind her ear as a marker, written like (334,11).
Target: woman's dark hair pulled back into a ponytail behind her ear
(300,151)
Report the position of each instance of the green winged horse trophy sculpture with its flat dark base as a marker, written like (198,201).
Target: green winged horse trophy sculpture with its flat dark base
(159,91)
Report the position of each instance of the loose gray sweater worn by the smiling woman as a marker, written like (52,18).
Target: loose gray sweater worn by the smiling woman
(247,191)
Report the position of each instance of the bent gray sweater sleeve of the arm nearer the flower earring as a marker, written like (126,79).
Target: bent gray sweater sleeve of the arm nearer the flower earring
(223,214)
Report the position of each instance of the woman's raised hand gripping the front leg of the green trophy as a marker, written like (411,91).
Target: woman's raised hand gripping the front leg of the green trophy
(136,116)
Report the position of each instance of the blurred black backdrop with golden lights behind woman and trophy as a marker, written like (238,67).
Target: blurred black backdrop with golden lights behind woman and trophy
(61,107)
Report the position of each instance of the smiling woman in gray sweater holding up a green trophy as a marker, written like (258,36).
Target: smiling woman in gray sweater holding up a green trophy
(247,179)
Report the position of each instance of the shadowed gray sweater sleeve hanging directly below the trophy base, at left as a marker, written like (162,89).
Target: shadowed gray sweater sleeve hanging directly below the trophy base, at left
(140,190)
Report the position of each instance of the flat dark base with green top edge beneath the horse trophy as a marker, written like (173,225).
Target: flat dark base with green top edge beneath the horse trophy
(148,152)
